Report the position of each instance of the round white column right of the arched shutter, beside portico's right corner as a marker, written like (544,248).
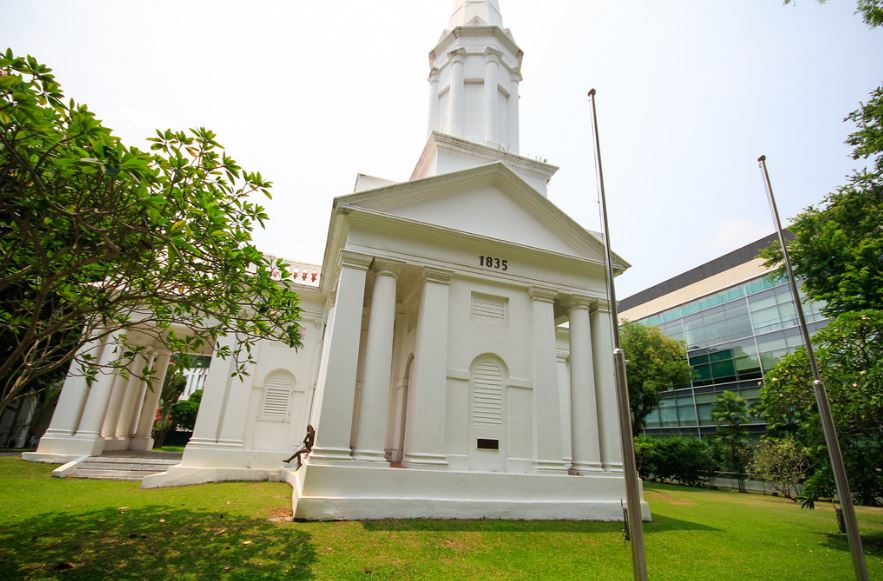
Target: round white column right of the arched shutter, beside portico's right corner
(585,440)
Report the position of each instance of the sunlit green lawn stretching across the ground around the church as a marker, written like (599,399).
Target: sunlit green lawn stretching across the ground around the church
(86,529)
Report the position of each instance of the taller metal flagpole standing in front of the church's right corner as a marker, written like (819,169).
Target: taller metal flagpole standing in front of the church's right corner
(634,524)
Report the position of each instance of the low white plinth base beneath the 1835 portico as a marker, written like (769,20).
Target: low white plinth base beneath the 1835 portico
(356,493)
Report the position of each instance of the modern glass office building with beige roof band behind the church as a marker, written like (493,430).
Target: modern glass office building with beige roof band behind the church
(733,335)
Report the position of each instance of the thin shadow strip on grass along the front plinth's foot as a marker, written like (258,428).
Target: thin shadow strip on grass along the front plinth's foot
(659,524)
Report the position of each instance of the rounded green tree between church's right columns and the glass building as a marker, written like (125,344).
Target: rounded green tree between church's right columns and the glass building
(656,363)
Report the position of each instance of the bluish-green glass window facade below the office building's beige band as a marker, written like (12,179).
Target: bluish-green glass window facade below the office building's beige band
(732,336)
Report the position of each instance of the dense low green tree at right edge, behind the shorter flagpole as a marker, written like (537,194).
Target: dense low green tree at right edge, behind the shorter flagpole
(850,357)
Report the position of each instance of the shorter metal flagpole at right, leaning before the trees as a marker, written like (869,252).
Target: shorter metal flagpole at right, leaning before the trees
(827,419)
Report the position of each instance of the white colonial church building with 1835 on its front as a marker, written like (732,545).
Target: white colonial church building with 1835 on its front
(457,349)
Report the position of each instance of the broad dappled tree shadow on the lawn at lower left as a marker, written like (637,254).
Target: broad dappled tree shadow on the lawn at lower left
(154,542)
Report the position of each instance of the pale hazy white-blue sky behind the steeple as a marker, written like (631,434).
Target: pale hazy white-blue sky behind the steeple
(690,93)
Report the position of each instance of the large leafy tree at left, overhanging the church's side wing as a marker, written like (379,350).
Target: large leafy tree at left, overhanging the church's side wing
(97,239)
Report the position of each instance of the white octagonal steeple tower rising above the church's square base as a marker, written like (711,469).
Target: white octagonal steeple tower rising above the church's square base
(474,74)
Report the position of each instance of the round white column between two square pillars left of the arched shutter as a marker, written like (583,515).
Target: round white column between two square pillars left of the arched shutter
(374,405)
